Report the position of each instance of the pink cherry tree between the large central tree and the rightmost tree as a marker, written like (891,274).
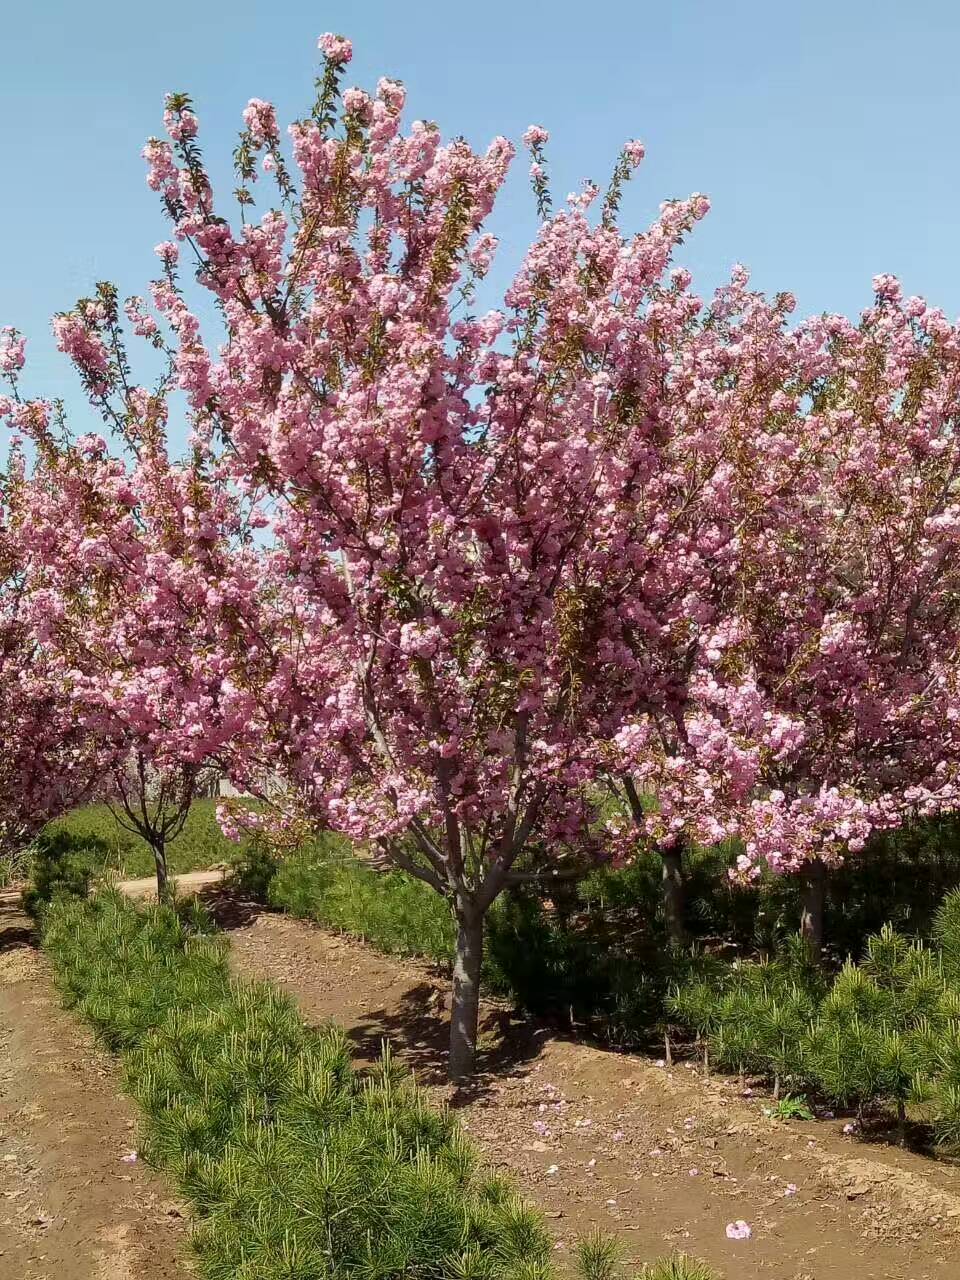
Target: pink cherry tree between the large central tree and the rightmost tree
(688,757)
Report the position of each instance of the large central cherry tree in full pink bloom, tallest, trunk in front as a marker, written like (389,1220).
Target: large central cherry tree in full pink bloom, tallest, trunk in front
(476,515)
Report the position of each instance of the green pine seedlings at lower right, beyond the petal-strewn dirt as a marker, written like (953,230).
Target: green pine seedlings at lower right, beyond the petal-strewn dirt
(881,1039)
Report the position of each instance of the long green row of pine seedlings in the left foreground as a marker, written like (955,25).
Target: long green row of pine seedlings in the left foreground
(296,1165)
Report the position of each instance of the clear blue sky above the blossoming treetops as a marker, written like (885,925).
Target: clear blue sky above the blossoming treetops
(825,131)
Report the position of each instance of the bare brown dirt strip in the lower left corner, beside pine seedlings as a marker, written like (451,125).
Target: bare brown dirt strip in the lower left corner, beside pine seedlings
(71,1209)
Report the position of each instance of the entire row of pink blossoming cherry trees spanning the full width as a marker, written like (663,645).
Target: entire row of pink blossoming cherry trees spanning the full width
(495,595)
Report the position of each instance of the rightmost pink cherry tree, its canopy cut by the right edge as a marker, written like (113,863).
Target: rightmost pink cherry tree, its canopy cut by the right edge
(847,637)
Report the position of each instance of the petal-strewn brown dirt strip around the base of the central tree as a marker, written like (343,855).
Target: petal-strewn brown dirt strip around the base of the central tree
(664,1158)
